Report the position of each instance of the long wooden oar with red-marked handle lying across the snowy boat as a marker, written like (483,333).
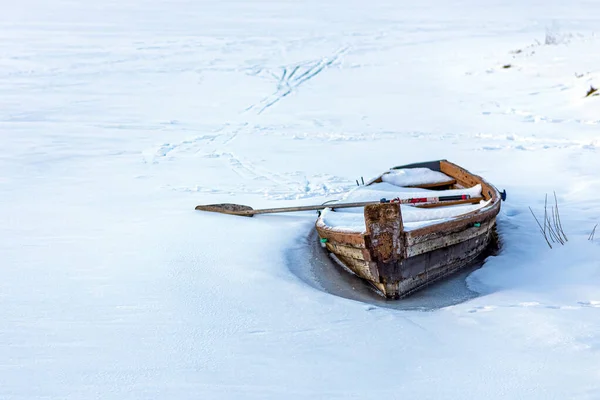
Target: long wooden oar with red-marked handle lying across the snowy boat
(246,211)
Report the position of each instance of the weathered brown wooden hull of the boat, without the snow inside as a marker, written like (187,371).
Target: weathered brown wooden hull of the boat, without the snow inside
(398,262)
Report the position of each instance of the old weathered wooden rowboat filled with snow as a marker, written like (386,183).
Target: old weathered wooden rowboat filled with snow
(434,218)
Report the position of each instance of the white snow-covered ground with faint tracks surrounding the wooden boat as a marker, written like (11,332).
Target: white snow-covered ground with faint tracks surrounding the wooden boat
(118,117)
